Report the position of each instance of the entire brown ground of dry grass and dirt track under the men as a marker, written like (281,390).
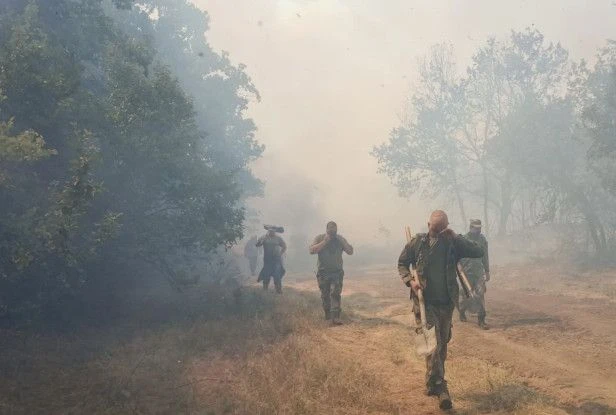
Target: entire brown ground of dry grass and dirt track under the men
(551,350)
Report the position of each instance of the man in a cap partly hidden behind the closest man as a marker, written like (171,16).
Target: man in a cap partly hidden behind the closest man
(478,273)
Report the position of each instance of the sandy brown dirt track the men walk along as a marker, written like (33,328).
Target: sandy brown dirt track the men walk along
(560,348)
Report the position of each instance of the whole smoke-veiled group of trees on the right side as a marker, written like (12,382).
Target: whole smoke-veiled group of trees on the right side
(523,132)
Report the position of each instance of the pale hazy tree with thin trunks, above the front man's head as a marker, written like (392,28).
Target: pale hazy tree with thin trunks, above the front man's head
(450,143)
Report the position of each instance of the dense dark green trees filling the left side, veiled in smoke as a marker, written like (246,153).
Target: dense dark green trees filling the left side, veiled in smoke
(124,145)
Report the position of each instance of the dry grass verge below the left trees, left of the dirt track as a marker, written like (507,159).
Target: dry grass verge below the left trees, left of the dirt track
(265,356)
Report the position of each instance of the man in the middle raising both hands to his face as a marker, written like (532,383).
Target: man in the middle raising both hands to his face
(329,247)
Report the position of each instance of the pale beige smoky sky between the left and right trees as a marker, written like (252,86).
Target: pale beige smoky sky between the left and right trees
(334,76)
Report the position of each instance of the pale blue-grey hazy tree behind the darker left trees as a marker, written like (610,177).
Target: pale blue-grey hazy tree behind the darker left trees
(220,92)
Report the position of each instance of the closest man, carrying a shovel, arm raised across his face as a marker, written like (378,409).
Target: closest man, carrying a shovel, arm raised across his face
(434,256)
